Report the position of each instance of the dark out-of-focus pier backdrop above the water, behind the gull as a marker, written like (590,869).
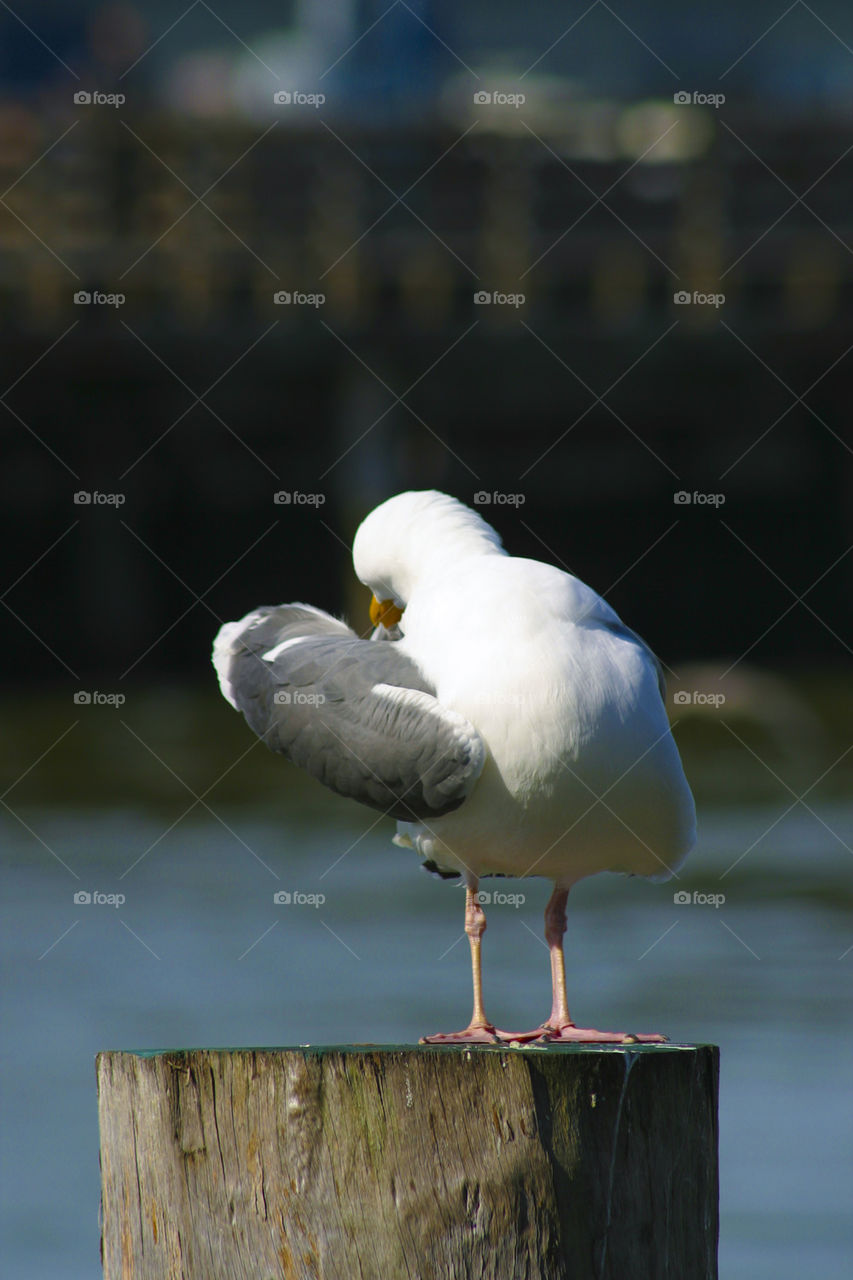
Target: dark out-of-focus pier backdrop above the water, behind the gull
(398,200)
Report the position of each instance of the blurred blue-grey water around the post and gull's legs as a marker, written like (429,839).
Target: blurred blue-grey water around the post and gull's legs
(199,954)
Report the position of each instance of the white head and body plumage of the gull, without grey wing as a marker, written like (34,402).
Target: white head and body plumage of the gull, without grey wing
(582,772)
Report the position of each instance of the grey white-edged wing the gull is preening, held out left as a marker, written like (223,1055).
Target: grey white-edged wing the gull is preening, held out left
(358,716)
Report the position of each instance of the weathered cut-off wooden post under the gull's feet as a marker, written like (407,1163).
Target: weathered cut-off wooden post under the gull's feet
(410,1162)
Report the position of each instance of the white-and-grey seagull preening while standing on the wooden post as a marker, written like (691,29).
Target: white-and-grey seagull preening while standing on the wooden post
(500,712)
